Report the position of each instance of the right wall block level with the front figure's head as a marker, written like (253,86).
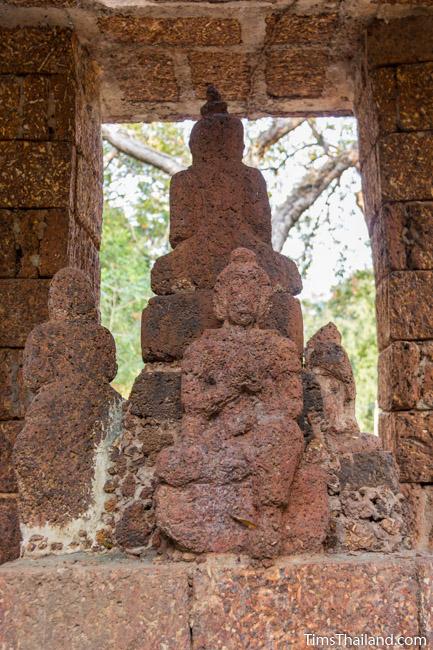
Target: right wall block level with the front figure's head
(403,307)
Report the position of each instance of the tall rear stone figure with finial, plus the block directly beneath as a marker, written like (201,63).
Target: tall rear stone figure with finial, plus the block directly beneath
(216,205)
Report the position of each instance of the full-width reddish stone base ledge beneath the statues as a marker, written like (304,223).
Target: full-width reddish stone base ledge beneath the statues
(84,603)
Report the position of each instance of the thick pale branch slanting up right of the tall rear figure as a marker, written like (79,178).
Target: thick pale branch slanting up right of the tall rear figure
(307,191)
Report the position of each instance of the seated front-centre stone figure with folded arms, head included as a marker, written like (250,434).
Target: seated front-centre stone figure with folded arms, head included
(226,482)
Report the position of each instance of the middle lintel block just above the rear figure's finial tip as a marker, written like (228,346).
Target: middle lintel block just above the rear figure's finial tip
(228,71)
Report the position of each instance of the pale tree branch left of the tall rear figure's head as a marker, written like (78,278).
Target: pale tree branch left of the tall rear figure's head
(136,149)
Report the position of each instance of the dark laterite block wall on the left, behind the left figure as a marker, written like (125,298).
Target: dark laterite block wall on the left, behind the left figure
(50,205)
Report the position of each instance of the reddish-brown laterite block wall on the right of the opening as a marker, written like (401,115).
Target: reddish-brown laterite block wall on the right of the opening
(394,109)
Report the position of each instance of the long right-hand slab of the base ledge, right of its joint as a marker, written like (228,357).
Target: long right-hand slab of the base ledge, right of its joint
(240,607)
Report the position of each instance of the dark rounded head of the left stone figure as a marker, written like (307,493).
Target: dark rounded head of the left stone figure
(71,296)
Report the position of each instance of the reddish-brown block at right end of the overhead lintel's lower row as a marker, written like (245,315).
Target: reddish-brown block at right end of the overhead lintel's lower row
(287,77)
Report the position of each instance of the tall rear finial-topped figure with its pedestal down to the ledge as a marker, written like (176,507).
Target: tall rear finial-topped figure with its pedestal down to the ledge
(217,205)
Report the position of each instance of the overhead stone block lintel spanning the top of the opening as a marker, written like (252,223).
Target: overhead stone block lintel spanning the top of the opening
(268,57)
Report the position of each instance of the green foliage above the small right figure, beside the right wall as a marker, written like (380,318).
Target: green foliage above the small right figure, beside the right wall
(351,308)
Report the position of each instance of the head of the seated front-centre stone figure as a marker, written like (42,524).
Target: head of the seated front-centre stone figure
(242,290)
